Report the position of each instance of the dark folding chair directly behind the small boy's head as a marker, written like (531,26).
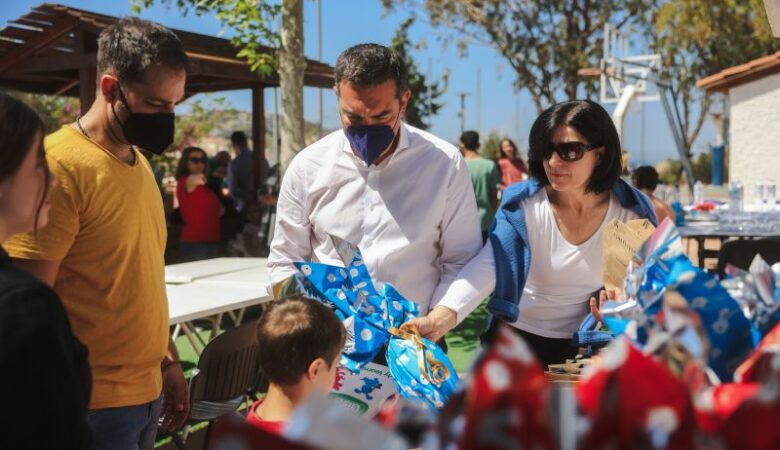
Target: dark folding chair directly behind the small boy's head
(227,372)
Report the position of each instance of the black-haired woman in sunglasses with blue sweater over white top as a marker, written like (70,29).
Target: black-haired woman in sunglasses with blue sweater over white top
(544,259)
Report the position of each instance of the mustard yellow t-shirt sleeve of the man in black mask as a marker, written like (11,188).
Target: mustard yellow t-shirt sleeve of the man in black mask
(52,242)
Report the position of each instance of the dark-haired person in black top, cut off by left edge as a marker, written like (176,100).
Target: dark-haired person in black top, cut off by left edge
(43,367)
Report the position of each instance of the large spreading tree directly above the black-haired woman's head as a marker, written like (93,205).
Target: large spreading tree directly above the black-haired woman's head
(546,42)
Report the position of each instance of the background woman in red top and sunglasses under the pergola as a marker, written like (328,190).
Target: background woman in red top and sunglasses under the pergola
(199,206)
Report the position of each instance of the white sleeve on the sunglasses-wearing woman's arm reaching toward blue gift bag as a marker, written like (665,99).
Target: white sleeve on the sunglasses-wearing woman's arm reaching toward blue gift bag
(473,284)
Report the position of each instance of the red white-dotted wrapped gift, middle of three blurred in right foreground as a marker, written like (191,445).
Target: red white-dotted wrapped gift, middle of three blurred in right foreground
(633,401)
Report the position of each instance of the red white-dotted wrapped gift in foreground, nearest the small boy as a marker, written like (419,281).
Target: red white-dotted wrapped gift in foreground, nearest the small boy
(507,397)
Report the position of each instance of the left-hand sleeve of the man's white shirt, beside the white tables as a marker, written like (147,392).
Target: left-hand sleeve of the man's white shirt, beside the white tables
(292,235)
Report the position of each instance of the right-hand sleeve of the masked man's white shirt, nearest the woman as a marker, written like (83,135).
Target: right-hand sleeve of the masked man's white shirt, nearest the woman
(461,237)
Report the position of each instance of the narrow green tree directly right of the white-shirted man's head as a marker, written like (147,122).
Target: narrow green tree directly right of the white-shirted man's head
(423,102)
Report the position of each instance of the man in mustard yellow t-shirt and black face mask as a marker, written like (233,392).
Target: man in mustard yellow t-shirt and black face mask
(103,247)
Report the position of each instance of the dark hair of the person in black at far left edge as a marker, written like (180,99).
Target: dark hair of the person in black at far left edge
(18,127)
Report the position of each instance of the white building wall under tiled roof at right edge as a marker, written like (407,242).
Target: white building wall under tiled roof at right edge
(754,133)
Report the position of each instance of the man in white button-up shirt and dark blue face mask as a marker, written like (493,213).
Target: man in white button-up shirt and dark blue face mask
(401,194)
